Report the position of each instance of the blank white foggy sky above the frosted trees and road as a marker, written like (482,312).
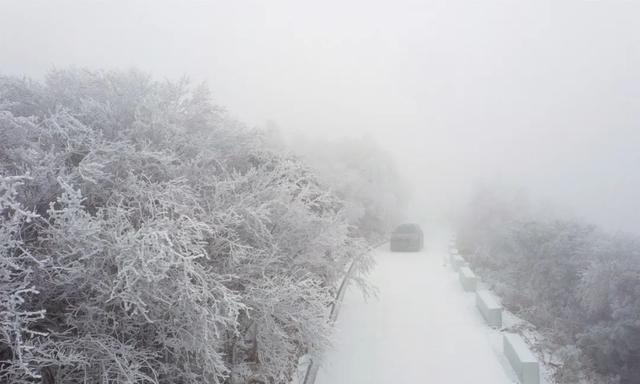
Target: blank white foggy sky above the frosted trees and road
(542,94)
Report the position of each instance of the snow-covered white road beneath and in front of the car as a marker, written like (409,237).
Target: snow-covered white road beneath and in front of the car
(422,327)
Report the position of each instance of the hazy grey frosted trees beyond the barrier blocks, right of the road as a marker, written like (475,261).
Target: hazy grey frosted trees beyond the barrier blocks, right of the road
(579,286)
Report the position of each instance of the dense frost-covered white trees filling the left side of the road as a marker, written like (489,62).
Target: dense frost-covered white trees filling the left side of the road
(148,237)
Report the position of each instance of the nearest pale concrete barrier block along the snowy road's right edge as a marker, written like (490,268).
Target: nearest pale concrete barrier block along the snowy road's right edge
(522,360)
